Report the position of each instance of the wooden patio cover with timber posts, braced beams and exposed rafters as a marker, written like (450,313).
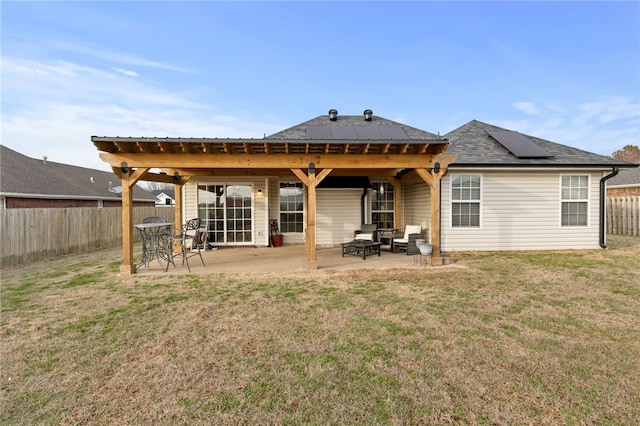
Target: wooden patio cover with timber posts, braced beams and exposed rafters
(311,161)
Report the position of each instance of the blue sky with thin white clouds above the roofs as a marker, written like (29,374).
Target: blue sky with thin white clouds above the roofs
(564,71)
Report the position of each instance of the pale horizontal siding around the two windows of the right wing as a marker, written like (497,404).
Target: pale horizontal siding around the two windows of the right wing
(520,211)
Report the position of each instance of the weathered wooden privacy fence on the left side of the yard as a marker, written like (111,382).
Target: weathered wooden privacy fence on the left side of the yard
(34,234)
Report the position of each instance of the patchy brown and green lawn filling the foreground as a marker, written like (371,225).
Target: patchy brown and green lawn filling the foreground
(512,338)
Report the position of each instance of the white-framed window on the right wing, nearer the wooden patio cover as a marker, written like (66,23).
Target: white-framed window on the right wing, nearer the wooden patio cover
(465,201)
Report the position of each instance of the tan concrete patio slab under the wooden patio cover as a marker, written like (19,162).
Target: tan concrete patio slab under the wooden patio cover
(288,258)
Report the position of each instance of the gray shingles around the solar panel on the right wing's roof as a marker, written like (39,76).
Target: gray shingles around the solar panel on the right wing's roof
(474,146)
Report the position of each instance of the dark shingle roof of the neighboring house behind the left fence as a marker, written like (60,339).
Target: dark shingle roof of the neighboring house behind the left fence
(25,177)
